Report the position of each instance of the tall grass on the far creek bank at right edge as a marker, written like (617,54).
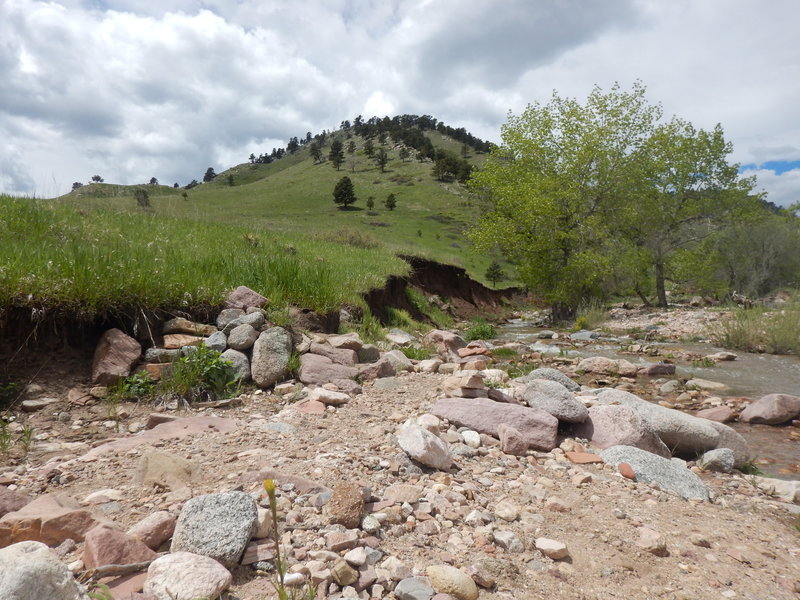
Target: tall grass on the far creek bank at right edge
(759,330)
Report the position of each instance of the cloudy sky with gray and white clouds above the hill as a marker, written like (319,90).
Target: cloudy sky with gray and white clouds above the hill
(134,89)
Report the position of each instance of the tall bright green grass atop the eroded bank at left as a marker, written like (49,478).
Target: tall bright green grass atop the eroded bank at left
(93,261)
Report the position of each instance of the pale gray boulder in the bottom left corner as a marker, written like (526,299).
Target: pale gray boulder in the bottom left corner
(31,571)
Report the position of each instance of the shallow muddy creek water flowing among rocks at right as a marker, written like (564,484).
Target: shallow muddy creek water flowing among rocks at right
(750,375)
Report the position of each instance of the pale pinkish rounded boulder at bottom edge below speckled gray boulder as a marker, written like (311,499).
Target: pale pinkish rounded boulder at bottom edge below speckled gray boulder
(186,576)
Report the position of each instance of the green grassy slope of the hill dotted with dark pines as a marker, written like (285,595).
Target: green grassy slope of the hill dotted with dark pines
(294,196)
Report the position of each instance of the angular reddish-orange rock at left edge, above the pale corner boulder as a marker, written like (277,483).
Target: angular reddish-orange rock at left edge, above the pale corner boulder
(49,519)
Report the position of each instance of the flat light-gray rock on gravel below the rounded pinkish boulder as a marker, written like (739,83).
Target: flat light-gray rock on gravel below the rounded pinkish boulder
(669,474)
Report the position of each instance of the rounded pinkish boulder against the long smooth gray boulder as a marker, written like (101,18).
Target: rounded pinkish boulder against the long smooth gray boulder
(614,425)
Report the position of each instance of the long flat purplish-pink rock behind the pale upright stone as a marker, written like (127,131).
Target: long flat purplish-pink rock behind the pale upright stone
(537,427)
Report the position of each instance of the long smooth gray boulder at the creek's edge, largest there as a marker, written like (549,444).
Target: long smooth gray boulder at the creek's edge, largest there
(680,432)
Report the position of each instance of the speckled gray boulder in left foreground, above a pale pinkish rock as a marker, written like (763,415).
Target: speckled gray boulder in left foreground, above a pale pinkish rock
(216,525)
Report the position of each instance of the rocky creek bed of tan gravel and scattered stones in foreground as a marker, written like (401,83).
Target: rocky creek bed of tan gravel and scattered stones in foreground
(386,492)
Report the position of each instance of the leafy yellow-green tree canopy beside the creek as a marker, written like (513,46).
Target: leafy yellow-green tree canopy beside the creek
(590,199)
